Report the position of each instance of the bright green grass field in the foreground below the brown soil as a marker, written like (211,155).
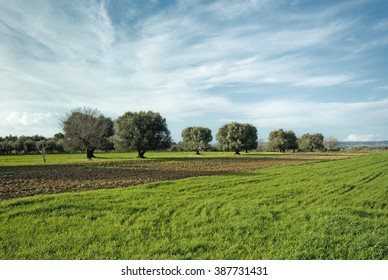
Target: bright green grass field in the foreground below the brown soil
(323,210)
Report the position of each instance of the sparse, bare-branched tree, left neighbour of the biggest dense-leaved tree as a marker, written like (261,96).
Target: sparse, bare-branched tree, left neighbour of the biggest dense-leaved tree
(86,129)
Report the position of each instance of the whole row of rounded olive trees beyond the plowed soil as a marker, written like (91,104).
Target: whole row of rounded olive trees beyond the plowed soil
(88,130)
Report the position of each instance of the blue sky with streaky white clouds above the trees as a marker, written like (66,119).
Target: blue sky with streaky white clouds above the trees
(306,66)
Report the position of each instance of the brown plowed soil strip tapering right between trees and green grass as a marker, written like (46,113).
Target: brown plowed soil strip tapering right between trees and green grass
(21,181)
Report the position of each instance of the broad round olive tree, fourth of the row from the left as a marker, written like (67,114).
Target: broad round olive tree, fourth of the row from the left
(237,137)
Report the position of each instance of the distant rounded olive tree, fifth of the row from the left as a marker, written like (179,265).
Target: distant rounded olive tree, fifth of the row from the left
(283,140)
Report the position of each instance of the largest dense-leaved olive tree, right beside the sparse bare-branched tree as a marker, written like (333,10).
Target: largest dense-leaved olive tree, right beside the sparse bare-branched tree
(141,131)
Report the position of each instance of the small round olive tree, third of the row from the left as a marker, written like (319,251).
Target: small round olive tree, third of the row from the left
(196,138)
